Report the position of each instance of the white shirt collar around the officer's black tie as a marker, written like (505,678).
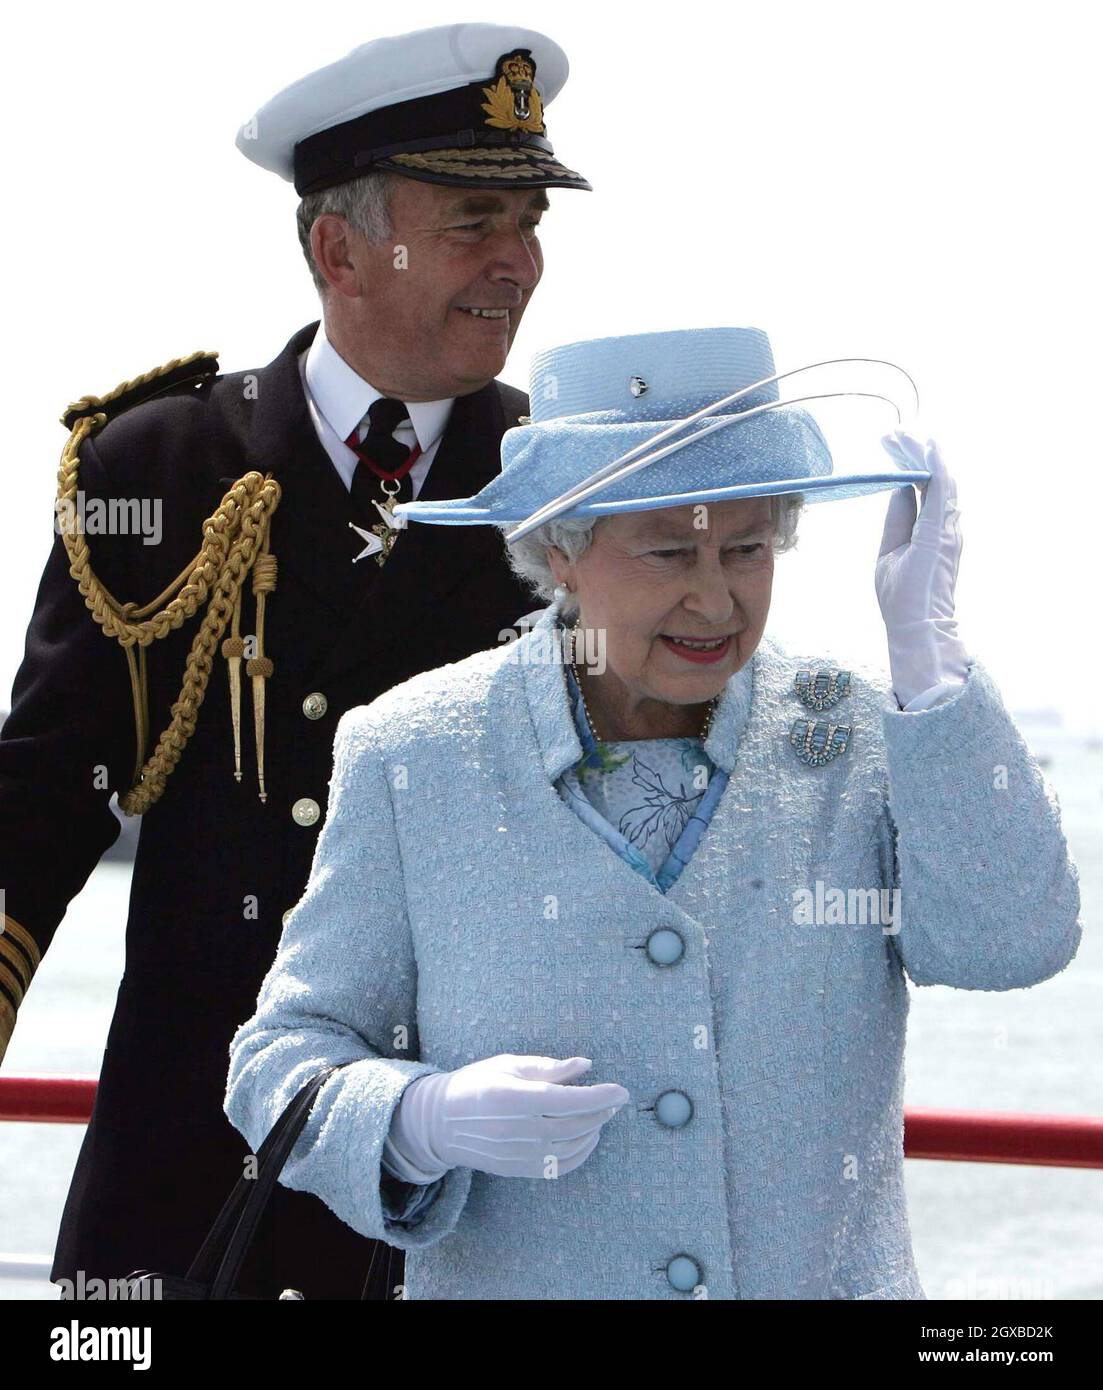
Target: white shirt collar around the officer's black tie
(340,398)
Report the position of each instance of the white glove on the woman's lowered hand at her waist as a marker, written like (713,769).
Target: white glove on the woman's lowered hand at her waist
(505,1115)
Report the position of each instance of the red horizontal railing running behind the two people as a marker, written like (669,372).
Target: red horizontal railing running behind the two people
(959,1136)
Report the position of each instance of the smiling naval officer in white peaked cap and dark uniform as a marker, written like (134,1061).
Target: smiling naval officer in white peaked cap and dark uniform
(283,596)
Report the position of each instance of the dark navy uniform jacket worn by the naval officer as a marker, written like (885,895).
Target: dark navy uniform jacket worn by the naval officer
(159,1156)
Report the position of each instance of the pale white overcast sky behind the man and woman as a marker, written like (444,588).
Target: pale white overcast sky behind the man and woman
(906,181)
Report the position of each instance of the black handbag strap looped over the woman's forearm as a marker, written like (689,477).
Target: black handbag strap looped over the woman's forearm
(237,1224)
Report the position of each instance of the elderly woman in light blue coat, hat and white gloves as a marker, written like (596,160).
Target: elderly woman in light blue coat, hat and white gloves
(608,928)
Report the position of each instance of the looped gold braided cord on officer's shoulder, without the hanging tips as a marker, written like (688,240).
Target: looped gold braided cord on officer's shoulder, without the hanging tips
(233,539)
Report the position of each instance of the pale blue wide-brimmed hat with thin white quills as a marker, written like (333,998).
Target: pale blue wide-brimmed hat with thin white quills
(597,401)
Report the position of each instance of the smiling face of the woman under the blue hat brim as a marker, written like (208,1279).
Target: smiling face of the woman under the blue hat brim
(701,572)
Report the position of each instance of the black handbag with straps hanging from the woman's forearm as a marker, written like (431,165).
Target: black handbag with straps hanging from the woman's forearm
(235,1227)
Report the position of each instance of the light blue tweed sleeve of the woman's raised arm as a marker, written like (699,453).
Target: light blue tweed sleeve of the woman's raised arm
(972,836)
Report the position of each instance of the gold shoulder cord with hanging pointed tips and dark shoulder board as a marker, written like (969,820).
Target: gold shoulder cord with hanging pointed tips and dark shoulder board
(235,541)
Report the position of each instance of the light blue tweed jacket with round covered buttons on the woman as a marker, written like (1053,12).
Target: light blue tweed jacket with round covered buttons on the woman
(458,908)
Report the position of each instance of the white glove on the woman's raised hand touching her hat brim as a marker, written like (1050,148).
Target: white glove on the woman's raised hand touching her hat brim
(916,576)
